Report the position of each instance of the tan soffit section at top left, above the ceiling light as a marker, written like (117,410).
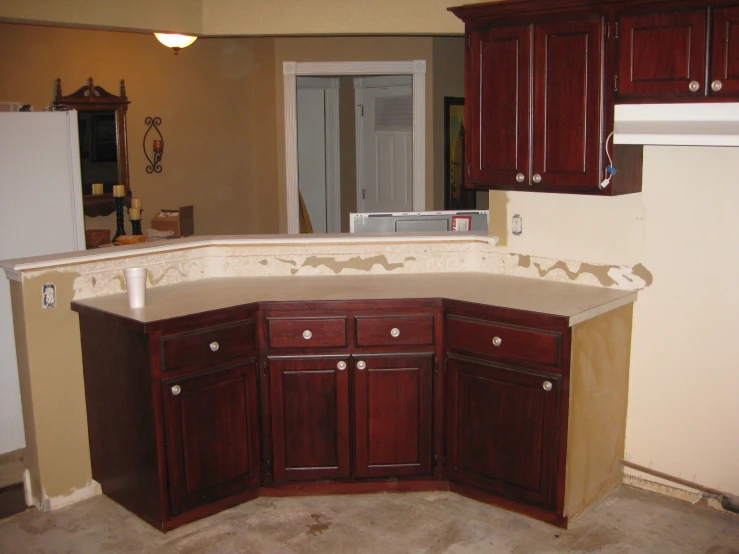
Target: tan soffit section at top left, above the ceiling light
(184,16)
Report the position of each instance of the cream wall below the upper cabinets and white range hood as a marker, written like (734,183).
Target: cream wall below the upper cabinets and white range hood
(684,229)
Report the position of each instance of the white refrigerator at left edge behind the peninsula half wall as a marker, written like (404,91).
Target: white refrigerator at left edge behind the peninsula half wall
(40,213)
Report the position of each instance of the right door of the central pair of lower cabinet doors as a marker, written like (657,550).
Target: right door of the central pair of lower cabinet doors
(393,415)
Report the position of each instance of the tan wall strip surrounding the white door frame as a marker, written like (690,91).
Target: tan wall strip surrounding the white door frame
(331,49)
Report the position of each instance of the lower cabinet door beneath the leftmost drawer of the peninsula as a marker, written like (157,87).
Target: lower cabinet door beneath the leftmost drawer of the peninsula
(211,427)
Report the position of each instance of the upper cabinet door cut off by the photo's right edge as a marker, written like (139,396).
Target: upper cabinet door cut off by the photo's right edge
(724,78)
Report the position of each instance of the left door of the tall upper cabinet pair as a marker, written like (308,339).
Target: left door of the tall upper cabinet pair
(498,106)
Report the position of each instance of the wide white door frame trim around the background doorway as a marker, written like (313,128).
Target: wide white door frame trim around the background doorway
(290,70)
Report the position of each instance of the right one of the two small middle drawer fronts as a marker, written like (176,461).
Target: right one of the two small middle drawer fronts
(395,330)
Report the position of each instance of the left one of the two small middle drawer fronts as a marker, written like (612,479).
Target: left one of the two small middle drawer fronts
(306,332)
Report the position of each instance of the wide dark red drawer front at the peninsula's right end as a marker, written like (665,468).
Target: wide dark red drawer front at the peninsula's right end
(504,341)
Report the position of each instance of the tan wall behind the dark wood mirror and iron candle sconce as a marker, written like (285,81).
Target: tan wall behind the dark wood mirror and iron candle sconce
(213,132)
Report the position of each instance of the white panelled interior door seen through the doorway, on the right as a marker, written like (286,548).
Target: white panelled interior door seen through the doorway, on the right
(384,144)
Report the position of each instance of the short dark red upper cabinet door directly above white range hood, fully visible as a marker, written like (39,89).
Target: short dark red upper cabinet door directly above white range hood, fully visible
(663,54)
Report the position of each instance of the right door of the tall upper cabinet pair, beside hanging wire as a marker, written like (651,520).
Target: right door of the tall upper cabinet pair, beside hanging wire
(568,105)
